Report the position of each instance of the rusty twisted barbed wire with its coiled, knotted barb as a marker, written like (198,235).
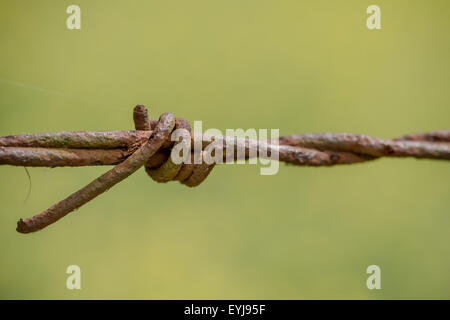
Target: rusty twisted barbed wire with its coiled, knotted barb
(150,146)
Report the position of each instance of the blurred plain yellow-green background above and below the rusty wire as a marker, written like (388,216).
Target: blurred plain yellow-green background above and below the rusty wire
(301,66)
